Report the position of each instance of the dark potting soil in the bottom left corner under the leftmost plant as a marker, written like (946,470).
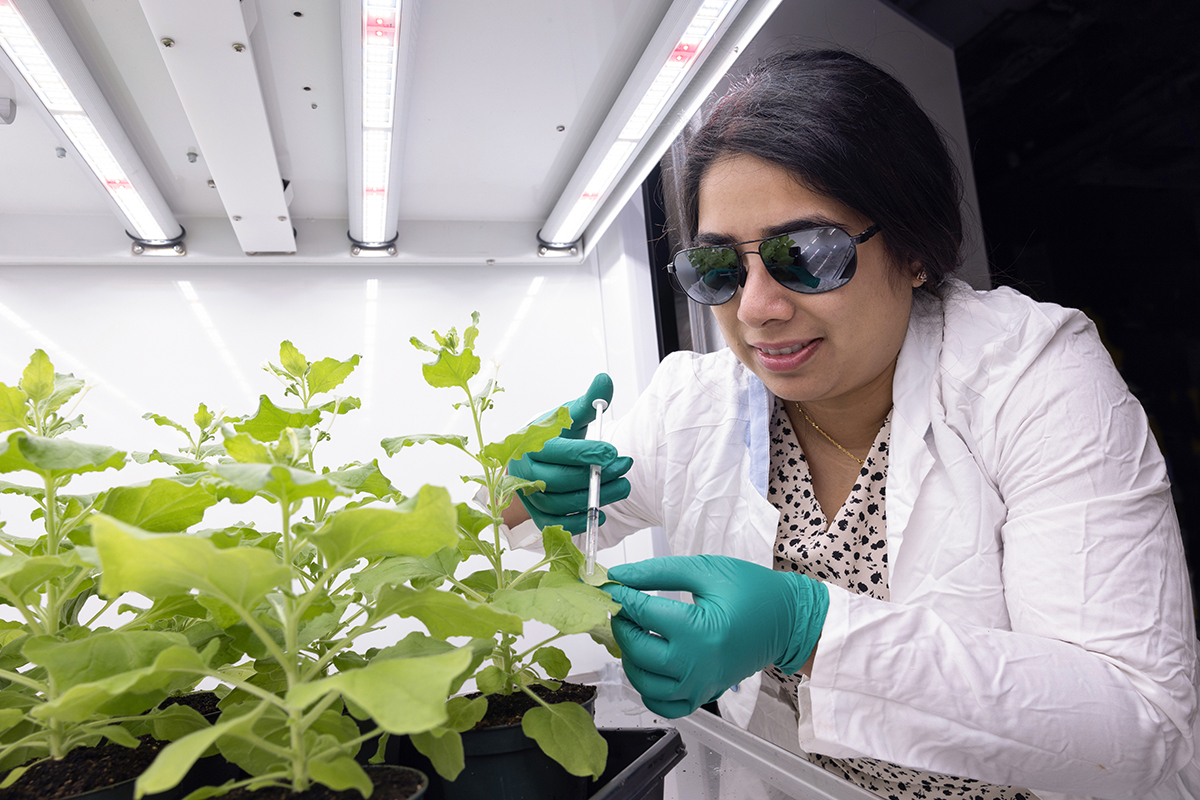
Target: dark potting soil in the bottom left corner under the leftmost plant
(85,769)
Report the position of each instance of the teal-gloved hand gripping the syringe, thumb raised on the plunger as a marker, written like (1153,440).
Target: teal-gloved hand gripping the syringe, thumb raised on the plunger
(565,465)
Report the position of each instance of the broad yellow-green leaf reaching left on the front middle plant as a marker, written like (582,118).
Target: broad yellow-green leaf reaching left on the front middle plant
(160,566)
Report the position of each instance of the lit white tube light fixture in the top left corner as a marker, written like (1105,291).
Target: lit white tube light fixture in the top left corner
(38,51)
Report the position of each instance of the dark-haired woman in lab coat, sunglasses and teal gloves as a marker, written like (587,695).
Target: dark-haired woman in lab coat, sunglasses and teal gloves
(979,585)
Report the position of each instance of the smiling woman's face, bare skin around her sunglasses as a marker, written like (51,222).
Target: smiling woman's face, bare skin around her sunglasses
(839,347)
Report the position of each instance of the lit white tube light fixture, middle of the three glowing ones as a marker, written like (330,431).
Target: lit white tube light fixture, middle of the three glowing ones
(379,40)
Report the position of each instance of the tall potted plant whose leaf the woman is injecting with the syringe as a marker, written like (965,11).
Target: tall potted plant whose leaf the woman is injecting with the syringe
(550,592)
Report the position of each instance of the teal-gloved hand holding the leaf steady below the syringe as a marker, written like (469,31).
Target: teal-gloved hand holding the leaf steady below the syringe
(746,617)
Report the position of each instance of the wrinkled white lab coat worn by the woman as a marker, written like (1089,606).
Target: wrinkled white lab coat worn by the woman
(1041,629)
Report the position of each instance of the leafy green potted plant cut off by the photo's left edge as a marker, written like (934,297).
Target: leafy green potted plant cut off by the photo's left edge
(68,684)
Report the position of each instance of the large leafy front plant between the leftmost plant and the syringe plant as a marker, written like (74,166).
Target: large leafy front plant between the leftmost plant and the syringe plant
(285,599)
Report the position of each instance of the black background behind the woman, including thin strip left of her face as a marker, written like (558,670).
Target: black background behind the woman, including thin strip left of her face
(1084,127)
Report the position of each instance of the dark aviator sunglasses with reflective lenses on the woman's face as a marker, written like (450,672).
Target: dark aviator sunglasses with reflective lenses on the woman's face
(812,261)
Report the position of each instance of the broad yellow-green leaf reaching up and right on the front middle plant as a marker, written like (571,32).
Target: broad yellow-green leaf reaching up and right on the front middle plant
(421,526)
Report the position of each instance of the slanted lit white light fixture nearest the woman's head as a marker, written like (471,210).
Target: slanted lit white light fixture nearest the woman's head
(692,51)
